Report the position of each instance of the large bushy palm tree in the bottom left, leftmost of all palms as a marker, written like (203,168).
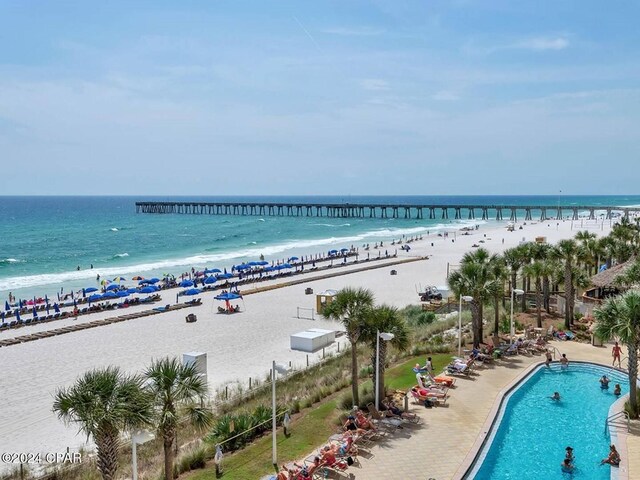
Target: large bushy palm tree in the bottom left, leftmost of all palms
(104,403)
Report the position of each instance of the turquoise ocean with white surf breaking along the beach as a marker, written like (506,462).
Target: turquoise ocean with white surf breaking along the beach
(46,239)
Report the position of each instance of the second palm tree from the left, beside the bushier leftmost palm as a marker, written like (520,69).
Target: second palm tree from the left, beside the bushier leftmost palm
(175,388)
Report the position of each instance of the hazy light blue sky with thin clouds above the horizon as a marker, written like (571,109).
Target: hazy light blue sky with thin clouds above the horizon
(334,97)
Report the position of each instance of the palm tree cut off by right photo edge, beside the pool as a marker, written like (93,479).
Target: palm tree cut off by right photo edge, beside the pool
(620,317)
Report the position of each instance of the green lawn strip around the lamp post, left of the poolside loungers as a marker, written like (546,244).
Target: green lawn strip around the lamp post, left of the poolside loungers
(307,433)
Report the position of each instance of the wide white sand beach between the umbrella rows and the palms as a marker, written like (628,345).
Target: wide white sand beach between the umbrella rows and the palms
(238,346)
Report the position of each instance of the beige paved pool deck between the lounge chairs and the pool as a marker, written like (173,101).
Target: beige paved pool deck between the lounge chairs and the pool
(438,448)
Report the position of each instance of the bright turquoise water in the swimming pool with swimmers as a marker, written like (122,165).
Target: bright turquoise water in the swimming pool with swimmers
(534,430)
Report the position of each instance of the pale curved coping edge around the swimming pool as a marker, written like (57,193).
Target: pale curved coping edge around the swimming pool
(620,473)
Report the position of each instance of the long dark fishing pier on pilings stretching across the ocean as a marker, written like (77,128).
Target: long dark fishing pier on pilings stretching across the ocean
(356,210)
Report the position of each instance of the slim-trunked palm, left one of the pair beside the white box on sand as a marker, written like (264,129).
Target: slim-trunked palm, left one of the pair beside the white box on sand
(351,306)
